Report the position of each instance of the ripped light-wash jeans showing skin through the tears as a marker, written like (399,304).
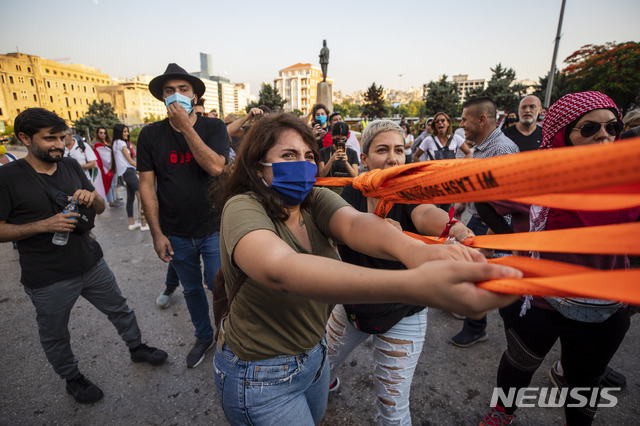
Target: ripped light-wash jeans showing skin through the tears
(395,356)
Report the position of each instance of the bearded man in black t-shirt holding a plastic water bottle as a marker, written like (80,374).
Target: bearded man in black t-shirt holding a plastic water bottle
(54,276)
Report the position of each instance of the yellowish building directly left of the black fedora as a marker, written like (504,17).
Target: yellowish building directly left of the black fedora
(131,100)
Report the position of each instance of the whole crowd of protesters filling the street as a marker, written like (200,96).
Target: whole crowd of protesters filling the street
(311,272)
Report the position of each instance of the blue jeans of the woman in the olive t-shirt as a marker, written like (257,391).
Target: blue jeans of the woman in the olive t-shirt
(286,390)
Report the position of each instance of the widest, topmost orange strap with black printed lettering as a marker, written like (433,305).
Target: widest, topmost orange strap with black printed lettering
(508,177)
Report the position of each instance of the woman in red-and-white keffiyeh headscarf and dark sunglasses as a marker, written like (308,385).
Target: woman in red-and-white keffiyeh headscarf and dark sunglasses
(532,327)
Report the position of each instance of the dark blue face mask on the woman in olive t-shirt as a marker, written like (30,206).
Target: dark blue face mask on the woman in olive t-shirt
(293,180)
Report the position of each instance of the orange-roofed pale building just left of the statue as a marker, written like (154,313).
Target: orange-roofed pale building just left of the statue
(297,85)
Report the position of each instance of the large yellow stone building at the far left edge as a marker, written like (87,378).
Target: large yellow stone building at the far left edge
(28,81)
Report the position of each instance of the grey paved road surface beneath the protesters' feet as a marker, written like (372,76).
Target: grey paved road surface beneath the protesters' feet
(452,386)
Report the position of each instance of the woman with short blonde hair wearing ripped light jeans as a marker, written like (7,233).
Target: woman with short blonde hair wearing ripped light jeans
(398,329)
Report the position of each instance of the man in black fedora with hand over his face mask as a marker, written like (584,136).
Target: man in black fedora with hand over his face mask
(180,155)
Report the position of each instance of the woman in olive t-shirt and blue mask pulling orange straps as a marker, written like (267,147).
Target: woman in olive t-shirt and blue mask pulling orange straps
(270,364)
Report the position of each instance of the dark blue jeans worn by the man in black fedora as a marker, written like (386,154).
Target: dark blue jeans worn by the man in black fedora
(186,261)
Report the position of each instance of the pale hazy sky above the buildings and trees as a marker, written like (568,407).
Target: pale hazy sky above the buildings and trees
(250,41)
